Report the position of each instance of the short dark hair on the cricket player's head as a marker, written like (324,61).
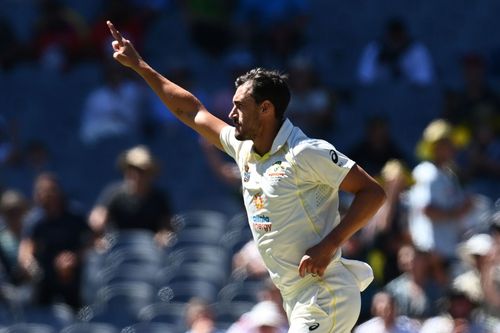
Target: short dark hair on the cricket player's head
(268,85)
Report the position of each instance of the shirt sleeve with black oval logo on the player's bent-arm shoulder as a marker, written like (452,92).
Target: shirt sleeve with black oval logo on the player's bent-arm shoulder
(319,162)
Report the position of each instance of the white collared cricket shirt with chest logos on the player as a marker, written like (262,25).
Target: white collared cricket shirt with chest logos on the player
(290,195)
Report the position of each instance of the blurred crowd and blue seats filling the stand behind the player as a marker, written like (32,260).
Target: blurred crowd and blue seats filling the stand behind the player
(113,213)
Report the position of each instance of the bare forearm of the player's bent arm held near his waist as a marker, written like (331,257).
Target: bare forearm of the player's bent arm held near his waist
(365,204)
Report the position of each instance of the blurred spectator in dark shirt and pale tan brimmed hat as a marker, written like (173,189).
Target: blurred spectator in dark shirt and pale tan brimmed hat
(135,202)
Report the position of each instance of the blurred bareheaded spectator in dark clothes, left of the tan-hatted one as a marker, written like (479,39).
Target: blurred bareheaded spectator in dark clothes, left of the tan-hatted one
(53,244)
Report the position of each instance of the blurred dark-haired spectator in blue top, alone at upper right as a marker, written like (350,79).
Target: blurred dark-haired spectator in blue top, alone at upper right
(396,57)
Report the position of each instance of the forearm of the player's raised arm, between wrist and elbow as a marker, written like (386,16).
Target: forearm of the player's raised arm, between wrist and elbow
(184,105)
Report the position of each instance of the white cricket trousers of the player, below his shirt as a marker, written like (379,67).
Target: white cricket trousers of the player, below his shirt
(330,304)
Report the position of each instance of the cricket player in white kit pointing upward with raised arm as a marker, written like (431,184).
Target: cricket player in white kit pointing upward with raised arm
(290,188)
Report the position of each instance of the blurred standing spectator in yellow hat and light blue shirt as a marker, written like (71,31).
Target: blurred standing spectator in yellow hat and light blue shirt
(438,205)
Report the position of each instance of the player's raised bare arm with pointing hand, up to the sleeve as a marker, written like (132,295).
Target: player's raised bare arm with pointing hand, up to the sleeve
(184,105)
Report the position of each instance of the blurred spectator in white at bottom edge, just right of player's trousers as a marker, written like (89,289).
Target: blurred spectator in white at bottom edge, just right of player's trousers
(386,318)
